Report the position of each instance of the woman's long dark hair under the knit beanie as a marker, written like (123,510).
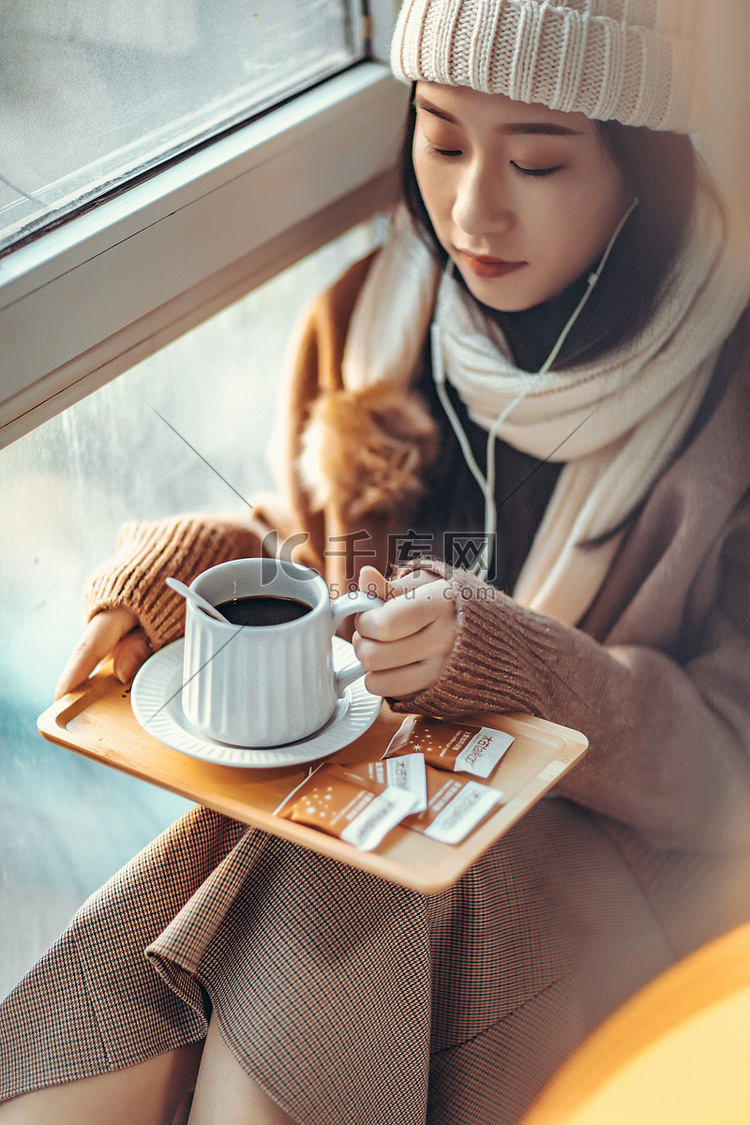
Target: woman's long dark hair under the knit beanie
(663,170)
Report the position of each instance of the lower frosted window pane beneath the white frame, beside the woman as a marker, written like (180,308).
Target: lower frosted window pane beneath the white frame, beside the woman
(67,824)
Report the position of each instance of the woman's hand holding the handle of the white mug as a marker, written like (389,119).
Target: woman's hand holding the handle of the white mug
(405,644)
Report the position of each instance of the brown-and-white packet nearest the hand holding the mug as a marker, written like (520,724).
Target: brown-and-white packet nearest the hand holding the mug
(450,746)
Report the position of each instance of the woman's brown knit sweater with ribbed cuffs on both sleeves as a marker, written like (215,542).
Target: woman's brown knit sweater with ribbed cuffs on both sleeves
(657,676)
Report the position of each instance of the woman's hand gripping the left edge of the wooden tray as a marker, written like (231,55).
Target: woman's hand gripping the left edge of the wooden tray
(112,632)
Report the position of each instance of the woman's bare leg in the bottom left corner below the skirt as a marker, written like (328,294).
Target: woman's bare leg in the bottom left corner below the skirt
(152,1093)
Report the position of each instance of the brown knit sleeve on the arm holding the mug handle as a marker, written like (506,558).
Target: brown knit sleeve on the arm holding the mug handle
(670,745)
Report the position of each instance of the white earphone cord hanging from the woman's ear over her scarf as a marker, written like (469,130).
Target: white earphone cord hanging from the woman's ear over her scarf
(487,483)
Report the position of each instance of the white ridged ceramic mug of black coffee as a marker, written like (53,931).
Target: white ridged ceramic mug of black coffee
(265,686)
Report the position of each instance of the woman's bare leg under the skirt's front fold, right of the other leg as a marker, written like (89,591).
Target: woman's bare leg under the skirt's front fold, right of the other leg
(225,1095)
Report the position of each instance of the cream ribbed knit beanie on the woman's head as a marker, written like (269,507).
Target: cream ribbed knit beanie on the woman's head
(639,62)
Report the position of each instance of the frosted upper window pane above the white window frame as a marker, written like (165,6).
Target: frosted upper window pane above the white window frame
(94,92)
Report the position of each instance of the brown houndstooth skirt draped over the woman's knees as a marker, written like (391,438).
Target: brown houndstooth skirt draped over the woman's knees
(350,1001)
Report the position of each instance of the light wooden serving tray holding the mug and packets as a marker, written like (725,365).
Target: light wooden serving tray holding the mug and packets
(97,721)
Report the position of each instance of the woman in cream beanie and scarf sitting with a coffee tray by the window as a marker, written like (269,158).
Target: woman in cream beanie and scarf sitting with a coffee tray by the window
(567,235)
